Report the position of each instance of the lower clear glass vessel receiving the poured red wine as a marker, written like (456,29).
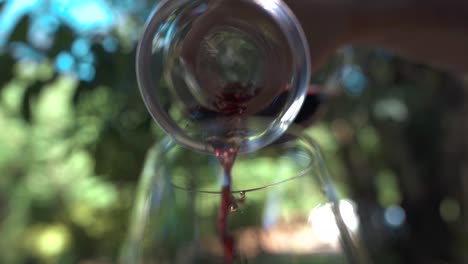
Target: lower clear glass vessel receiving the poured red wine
(286,209)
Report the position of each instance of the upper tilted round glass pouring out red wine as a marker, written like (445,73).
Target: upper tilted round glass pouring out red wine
(231,72)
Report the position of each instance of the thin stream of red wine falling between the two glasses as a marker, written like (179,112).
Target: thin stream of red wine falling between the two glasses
(228,203)
